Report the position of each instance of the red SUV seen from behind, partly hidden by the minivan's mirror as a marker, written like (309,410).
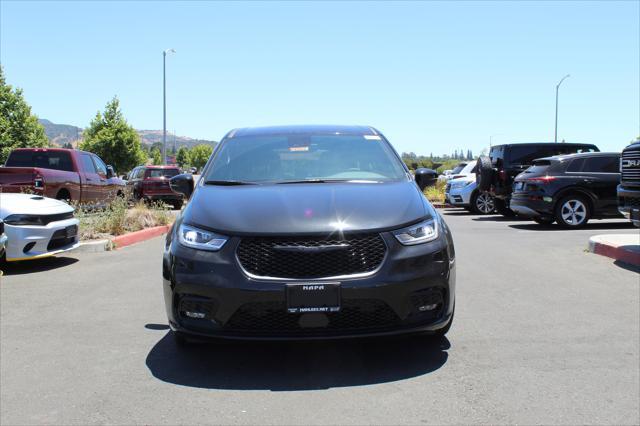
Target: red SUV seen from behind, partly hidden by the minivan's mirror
(151,183)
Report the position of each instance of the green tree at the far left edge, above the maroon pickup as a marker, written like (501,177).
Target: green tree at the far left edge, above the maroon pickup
(18,127)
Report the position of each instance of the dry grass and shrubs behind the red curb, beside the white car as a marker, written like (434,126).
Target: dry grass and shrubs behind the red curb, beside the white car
(119,218)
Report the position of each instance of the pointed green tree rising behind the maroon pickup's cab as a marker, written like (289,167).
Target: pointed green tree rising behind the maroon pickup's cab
(113,139)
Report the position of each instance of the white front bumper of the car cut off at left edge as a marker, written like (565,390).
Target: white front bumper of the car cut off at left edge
(34,242)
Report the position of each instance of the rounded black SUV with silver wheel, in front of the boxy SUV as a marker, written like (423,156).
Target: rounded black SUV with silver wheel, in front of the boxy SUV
(568,189)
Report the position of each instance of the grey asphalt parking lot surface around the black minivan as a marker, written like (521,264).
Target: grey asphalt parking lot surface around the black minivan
(544,333)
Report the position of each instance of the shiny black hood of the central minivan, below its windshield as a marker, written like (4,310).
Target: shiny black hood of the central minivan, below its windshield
(305,208)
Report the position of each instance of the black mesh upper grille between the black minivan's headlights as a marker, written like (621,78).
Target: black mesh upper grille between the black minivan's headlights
(311,257)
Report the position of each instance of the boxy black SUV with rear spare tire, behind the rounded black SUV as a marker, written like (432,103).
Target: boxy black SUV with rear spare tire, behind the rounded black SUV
(497,171)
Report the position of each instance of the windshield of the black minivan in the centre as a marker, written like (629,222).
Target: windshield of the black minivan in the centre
(304,157)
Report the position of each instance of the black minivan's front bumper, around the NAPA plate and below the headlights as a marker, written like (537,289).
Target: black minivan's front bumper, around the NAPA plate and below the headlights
(240,307)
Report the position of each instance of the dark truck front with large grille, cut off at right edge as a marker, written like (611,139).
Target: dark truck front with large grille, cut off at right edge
(629,188)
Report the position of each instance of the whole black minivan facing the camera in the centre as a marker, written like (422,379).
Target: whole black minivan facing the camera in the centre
(307,232)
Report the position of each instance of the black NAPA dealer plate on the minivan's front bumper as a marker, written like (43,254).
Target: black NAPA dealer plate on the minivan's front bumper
(308,297)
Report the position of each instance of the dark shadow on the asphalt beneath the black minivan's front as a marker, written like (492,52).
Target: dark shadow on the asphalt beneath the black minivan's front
(287,366)
